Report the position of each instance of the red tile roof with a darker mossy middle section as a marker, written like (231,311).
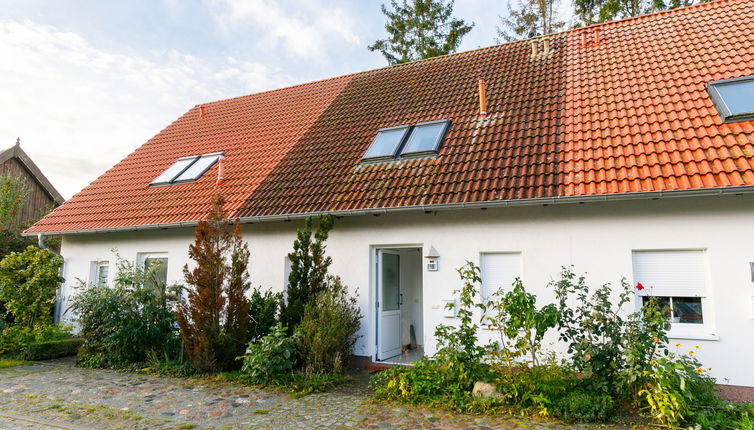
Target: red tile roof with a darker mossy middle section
(626,114)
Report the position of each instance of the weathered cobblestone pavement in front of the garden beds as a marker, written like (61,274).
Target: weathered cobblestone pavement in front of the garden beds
(57,394)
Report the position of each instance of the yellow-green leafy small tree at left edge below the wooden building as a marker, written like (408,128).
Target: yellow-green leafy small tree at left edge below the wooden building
(28,284)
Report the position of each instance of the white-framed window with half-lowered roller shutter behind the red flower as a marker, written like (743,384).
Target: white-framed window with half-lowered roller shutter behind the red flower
(678,279)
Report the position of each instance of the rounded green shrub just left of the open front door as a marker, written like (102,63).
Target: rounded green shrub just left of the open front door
(327,331)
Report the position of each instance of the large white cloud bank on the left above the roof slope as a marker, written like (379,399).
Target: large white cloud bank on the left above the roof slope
(79,109)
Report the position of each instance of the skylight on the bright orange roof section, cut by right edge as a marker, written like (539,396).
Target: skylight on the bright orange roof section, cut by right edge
(733,98)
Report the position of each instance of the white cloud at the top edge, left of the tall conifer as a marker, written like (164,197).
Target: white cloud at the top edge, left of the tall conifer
(305,30)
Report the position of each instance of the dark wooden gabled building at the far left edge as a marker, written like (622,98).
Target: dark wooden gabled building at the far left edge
(43,196)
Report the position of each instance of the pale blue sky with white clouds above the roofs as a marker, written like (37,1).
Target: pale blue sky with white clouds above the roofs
(85,82)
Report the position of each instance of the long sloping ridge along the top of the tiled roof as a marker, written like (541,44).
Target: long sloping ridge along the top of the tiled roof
(709,4)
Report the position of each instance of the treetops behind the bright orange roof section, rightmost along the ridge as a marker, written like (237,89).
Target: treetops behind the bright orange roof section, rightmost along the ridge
(595,11)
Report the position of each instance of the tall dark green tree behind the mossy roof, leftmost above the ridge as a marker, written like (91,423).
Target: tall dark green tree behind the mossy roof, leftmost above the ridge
(419,29)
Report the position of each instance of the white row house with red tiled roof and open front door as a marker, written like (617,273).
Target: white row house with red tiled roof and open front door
(625,149)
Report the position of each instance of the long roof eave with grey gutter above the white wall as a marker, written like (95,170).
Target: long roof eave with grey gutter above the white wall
(645,195)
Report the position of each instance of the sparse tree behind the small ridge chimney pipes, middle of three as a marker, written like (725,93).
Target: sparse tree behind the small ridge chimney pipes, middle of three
(532,18)
